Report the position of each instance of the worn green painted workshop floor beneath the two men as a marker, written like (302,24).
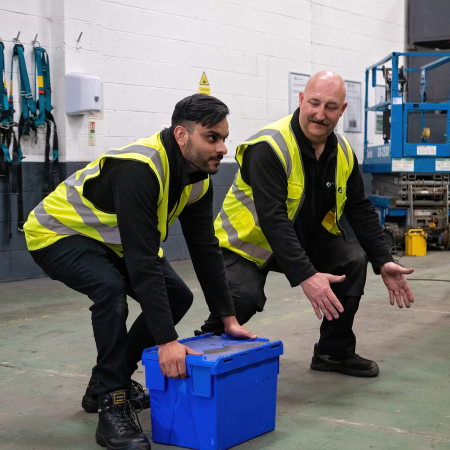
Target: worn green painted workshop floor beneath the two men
(47,351)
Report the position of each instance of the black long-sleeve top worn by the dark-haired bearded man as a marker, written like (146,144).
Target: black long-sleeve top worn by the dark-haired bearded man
(130,189)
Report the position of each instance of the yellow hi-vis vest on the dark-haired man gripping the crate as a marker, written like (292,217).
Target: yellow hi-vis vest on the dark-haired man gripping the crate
(67,212)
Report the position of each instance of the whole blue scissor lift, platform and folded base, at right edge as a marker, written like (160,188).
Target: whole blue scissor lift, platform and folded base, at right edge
(410,183)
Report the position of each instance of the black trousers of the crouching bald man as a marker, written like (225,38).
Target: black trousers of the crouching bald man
(328,254)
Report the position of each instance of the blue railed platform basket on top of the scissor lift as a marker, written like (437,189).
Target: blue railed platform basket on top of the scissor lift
(396,154)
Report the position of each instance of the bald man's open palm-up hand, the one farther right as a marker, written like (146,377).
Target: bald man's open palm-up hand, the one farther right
(398,287)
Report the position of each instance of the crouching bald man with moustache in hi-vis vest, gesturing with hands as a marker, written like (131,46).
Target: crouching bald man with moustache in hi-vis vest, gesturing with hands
(296,179)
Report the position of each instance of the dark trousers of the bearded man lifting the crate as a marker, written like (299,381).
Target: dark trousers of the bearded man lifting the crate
(95,270)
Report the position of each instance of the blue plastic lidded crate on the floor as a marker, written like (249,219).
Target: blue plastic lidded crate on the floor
(228,398)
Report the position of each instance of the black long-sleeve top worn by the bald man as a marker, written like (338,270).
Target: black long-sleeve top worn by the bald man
(263,171)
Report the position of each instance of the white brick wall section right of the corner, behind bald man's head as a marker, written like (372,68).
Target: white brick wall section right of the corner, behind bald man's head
(347,36)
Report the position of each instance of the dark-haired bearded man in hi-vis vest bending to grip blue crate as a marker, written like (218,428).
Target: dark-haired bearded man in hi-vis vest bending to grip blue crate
(99,233)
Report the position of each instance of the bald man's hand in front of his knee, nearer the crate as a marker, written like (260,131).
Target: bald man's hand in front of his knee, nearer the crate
(317,289)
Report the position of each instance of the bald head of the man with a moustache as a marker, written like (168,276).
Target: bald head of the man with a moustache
(322,103)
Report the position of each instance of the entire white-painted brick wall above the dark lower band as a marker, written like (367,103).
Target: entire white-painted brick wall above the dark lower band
(150,54)
